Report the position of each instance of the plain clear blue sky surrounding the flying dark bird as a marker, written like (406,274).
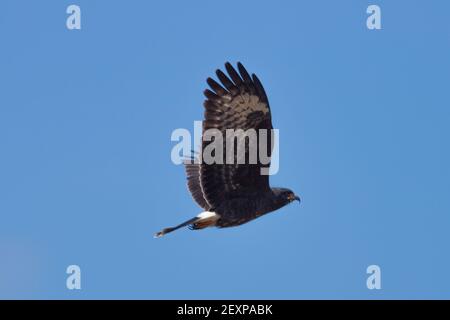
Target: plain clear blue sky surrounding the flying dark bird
(86,176)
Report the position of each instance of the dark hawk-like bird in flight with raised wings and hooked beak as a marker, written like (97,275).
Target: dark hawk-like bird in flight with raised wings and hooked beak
(231,194)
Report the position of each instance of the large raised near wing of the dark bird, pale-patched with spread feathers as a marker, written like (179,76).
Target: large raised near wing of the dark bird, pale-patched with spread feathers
(239,103)
